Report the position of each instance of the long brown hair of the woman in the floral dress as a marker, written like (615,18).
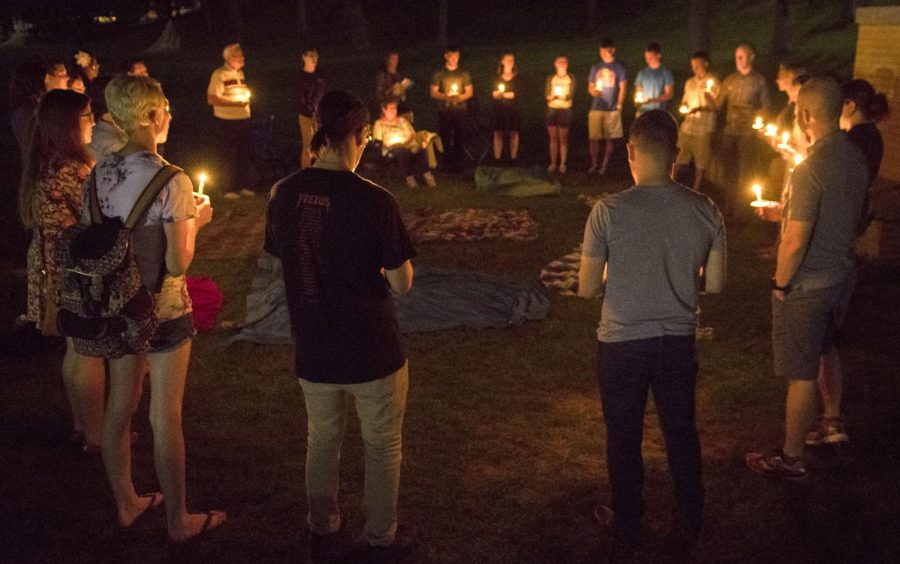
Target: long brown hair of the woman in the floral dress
(54,136)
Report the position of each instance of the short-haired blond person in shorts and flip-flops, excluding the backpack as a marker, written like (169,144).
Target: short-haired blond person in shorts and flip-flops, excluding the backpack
(163,248)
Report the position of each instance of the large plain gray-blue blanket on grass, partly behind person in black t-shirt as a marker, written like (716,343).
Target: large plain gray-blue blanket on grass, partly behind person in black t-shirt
(440,299)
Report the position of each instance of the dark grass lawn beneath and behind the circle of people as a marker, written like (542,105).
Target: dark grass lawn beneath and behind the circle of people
(504,448)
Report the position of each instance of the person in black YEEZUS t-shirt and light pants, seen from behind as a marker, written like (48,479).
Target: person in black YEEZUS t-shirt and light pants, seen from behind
(345,250)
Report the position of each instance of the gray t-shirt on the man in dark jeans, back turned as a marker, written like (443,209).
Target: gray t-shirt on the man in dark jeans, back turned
(654,240)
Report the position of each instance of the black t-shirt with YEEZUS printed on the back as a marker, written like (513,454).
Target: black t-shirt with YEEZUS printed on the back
(334,232)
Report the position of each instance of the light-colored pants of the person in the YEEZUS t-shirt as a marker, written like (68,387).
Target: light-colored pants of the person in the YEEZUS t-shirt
(380,405)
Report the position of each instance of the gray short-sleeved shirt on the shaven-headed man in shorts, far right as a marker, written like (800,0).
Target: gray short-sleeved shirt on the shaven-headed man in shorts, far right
(827,189)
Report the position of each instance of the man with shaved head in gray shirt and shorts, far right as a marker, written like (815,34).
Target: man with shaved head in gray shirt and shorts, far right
(820,217)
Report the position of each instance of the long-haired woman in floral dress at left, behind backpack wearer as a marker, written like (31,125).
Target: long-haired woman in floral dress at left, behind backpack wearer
(56,163)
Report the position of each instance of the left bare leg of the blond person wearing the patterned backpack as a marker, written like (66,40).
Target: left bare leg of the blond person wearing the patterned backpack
(124,395)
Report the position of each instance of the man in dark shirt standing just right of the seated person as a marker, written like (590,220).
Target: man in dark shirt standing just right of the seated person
(452,87)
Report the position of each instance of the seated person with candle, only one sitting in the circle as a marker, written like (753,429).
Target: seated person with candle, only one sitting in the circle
(398,141)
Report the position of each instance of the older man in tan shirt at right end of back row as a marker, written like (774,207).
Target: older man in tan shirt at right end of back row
(744,94)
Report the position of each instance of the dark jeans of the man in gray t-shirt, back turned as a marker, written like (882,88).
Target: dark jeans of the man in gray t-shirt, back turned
(626,371)
